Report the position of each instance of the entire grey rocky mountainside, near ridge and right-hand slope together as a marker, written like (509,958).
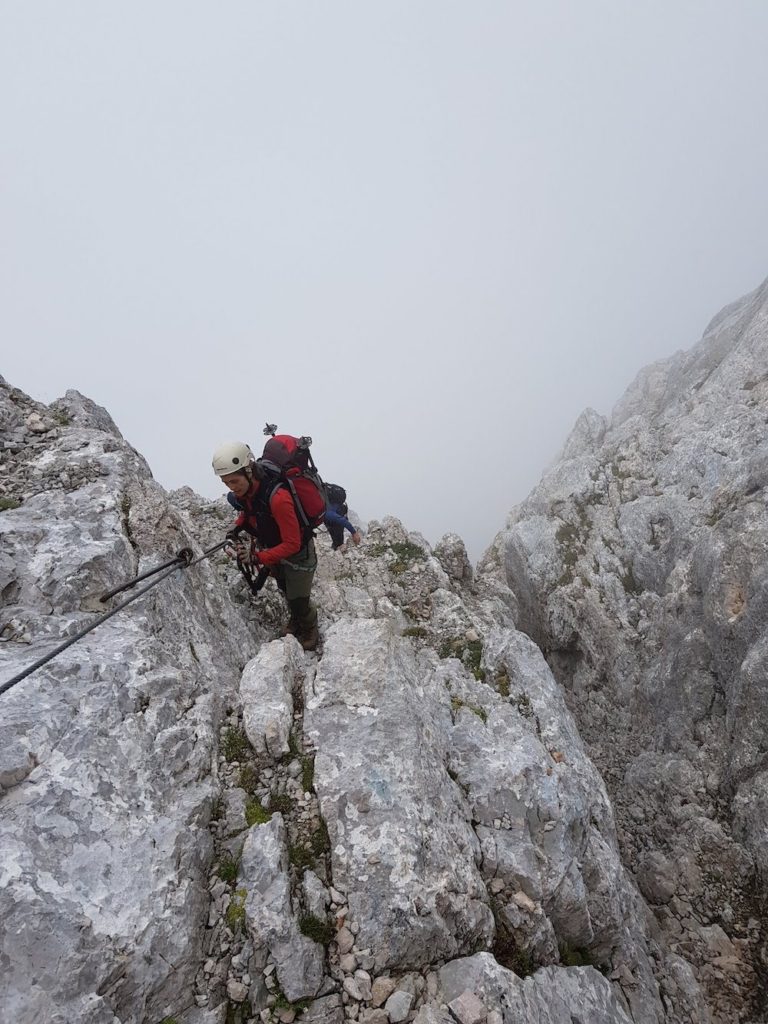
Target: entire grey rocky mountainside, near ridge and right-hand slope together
(202,824)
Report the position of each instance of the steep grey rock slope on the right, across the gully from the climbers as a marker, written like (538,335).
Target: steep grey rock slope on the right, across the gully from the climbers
(641,567)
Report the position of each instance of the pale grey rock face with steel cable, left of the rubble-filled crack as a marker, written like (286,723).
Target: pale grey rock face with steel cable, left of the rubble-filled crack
(107,755)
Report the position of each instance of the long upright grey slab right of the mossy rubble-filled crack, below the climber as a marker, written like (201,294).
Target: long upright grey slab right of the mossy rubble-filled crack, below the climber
(403,849)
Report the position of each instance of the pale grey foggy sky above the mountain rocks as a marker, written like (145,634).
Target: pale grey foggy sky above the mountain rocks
(430,234)
